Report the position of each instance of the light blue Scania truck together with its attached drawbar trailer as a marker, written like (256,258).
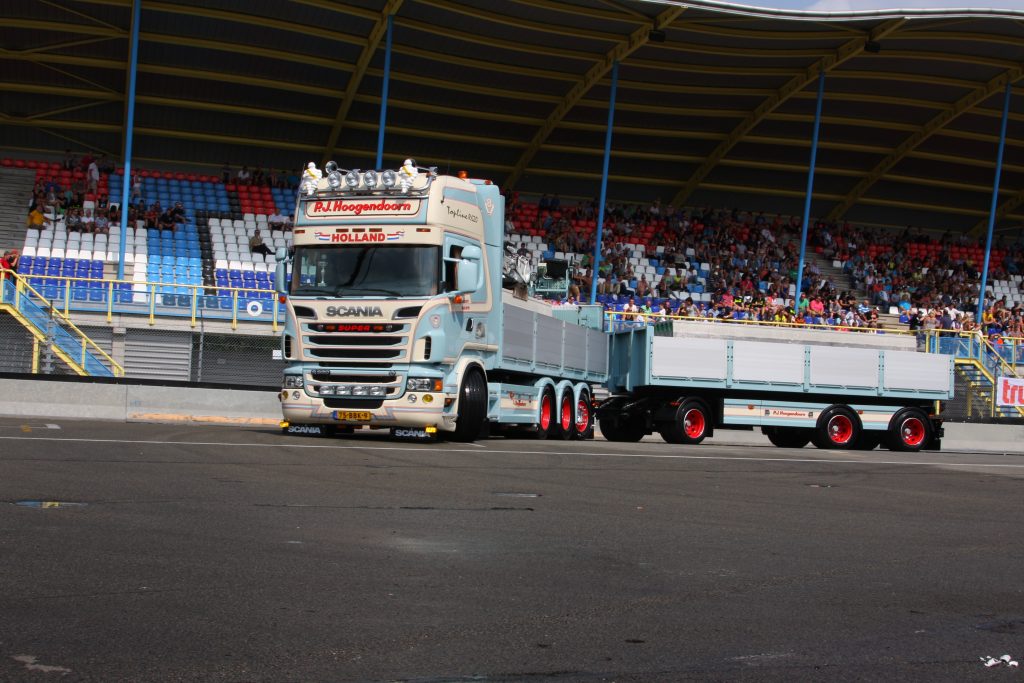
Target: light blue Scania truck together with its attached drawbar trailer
(404,313)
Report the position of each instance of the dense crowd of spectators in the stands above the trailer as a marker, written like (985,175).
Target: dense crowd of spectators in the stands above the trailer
(752,261)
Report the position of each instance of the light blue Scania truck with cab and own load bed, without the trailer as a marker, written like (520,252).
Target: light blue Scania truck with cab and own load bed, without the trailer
(397,317)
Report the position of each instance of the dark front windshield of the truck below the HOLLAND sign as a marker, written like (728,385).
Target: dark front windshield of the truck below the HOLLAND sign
(366,271)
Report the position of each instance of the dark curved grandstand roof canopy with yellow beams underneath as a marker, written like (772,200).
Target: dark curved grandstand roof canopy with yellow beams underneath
(715,102)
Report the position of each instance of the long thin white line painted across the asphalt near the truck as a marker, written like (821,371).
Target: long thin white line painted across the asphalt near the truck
(819,461)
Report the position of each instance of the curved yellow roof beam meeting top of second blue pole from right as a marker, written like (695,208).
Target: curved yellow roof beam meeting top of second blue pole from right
(827,64)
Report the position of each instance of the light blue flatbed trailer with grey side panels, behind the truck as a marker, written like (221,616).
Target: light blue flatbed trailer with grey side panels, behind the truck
(834,397)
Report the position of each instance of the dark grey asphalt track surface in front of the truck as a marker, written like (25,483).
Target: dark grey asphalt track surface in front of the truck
(227,554)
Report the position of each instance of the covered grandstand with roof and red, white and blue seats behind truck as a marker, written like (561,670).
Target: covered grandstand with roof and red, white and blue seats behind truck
(714,110)
